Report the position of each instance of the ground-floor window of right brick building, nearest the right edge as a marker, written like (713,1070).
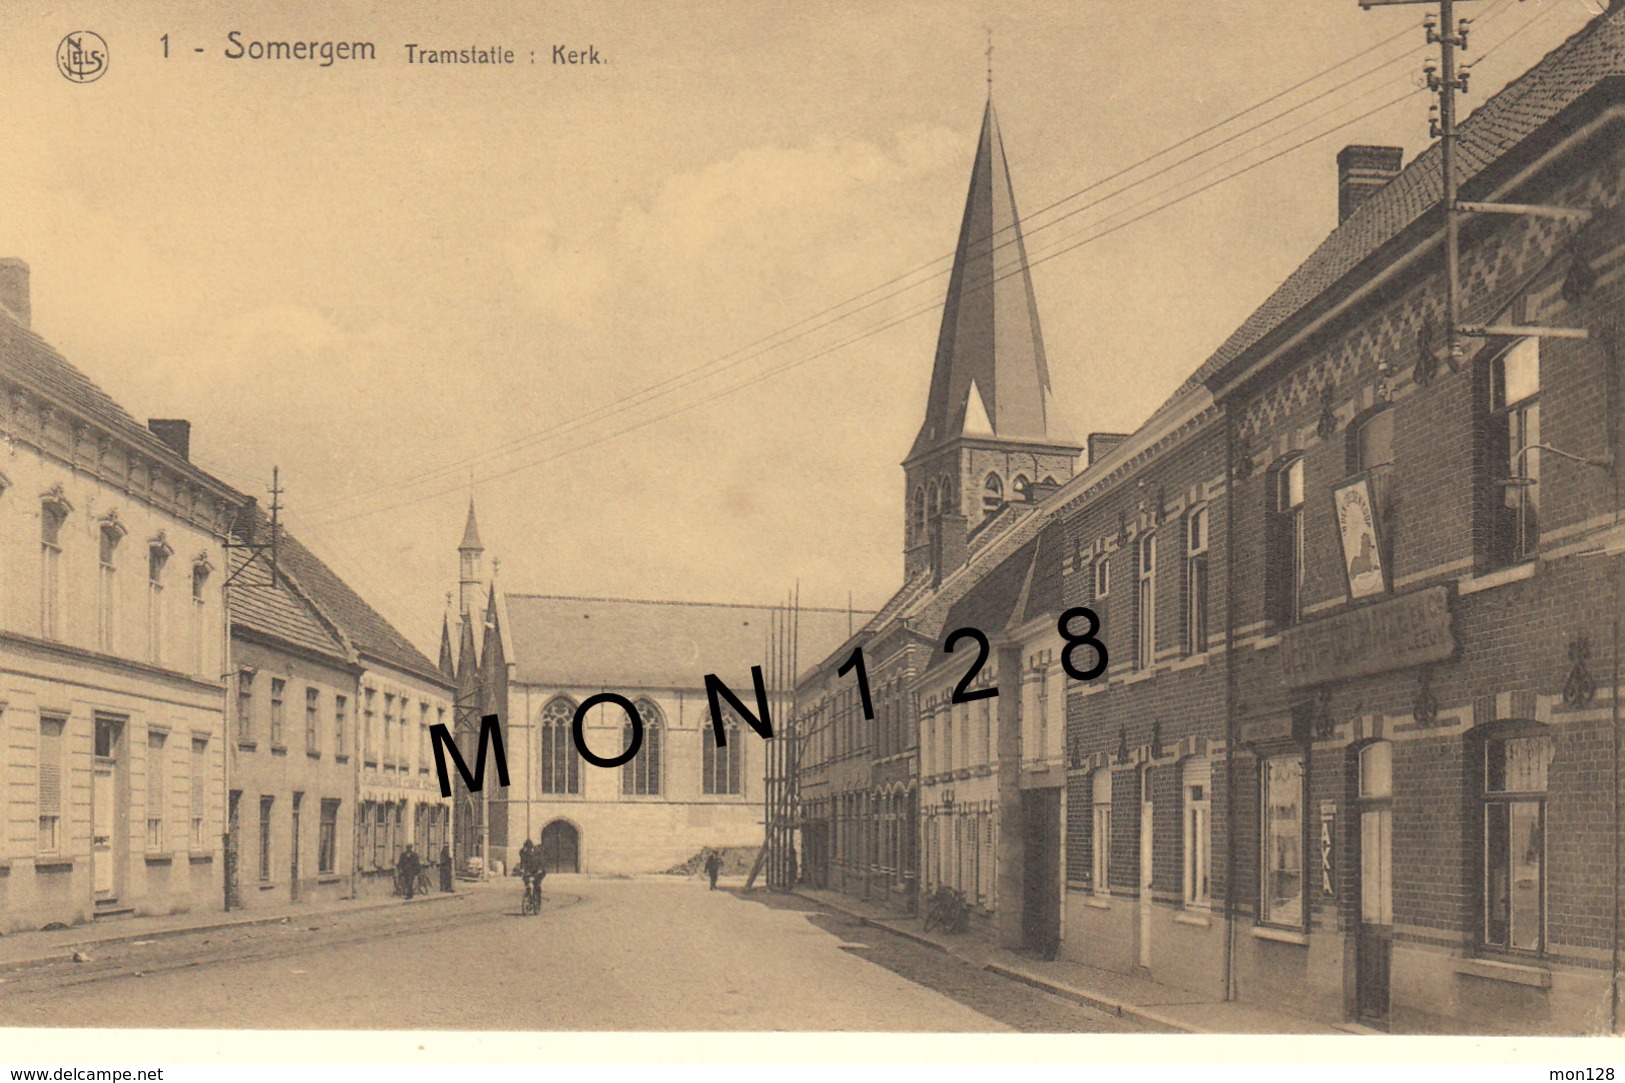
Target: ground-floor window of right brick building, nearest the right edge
(1515,778)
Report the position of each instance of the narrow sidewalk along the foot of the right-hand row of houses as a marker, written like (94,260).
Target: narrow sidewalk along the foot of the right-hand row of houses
(1120,994)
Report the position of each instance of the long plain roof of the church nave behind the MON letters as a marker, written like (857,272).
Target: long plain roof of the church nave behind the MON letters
(609,643)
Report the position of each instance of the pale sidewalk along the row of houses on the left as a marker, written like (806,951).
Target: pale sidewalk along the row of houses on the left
(33,949)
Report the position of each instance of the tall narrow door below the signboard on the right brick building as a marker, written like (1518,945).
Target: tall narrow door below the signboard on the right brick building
(1376,942)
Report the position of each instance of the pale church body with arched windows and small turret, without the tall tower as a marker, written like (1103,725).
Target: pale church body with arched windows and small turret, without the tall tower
(534,659)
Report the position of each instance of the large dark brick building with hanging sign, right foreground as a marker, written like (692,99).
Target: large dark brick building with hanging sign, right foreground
(1356,754)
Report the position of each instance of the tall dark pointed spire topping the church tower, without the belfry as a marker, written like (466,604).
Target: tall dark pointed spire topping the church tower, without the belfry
(990,344)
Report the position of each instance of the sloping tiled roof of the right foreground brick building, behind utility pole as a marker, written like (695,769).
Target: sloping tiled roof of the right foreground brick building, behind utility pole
(1523,107)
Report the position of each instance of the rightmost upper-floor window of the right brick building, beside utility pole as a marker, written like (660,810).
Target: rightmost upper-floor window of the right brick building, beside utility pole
(1514,453)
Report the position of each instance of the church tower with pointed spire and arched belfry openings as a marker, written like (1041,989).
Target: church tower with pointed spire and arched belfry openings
(990,435)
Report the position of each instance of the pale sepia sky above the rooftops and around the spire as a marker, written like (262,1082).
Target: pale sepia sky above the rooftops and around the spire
(405,285)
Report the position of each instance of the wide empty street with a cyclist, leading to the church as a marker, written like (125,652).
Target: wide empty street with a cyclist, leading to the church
(631,955)
